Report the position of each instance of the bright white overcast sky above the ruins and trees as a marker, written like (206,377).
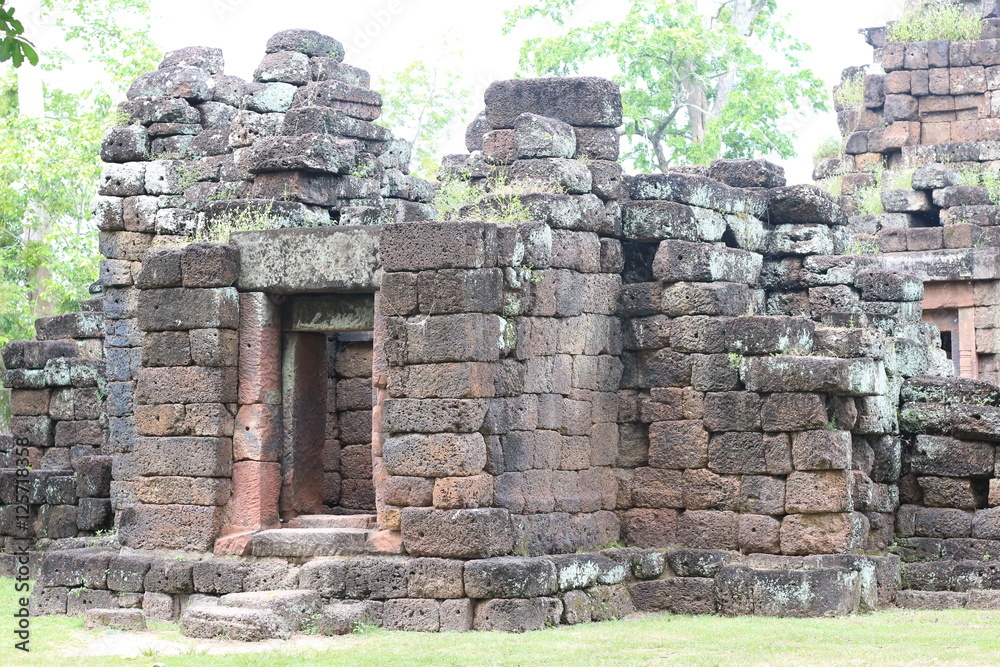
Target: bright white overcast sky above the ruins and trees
(385,35)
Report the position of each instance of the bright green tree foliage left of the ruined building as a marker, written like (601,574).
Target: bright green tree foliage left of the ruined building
(49,166)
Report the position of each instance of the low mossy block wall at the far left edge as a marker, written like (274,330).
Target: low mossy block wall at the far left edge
(55,465)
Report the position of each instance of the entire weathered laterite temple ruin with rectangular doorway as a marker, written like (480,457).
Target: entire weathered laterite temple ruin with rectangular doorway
(674,392)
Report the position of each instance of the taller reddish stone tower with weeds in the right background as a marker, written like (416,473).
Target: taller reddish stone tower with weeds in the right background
(929,118)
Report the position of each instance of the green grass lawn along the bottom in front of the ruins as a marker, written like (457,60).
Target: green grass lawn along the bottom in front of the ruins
(959,637)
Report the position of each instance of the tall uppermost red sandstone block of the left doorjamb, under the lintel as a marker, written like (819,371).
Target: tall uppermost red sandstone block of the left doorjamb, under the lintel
(260,350)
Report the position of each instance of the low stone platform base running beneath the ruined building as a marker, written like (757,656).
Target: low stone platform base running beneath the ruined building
(257,598)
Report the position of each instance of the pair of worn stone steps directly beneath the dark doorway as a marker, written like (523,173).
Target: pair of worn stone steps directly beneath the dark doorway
(327,535)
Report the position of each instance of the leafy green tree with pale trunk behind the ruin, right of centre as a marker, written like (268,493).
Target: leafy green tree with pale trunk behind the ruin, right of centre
(698,81)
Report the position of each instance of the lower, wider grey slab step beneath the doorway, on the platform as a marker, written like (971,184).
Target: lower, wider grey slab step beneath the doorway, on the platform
(310,542)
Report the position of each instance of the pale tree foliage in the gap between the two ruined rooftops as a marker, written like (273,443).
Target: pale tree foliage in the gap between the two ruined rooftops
(427,103)
